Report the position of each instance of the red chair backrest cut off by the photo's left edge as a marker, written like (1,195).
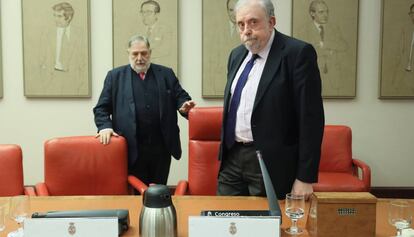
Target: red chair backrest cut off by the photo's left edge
(11,170)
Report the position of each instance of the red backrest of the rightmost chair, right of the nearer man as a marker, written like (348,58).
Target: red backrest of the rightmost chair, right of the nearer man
(336,154)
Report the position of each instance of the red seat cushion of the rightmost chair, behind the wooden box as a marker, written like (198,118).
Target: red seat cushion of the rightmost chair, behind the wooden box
(338,182)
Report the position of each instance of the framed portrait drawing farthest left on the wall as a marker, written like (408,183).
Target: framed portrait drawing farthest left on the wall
(56,48)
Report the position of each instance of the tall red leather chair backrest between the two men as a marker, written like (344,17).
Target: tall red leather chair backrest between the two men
(204,142)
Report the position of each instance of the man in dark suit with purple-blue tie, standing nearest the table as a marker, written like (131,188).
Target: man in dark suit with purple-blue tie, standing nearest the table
(277,110)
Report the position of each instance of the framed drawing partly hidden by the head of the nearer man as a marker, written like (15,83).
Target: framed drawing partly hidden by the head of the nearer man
(220,36)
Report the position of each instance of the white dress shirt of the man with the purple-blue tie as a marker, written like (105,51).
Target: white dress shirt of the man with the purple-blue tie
(243,130)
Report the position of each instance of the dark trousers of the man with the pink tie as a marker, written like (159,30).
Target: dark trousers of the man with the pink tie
(152,165)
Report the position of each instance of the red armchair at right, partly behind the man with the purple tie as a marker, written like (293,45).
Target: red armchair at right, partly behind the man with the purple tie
(338,171)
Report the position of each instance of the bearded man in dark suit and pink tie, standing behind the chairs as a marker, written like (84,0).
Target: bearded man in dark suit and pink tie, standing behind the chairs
(140,102)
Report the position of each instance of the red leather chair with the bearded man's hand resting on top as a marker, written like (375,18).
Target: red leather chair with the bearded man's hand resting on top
(81,165)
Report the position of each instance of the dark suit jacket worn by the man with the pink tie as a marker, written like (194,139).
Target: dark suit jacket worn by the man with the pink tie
(116,109)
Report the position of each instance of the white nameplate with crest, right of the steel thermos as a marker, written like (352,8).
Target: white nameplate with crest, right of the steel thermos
(207,226)
